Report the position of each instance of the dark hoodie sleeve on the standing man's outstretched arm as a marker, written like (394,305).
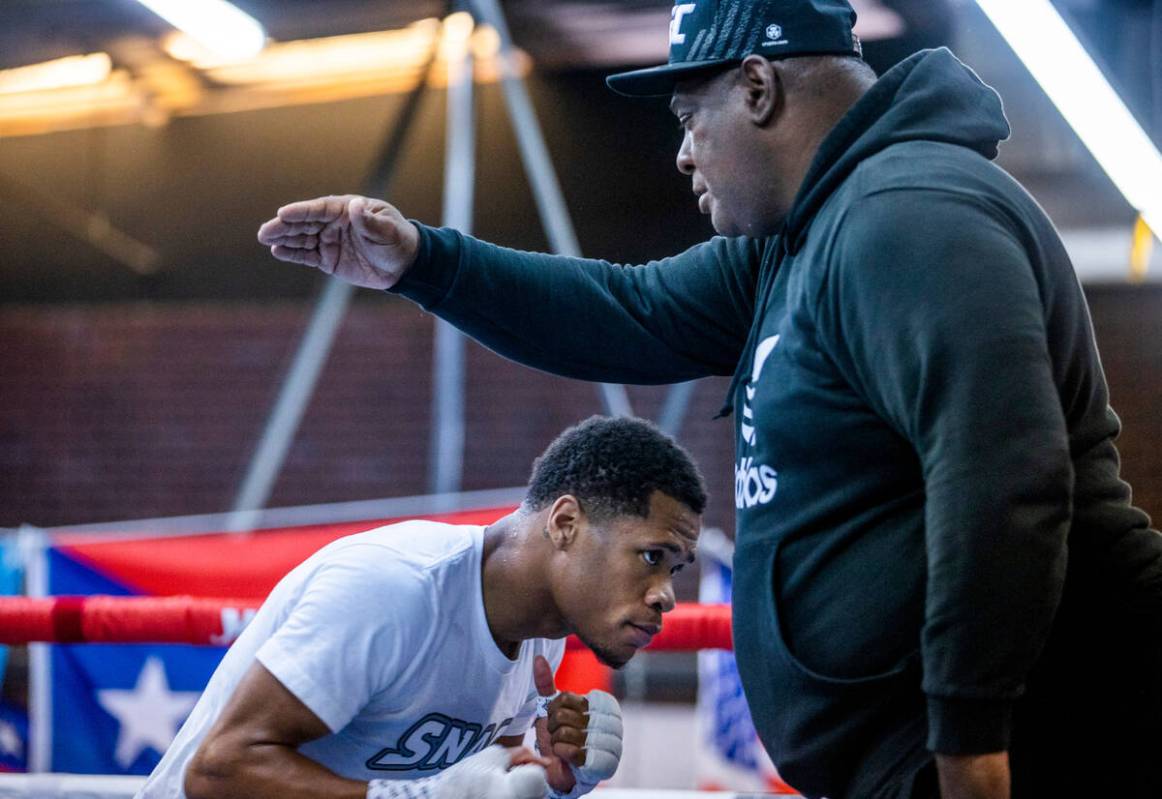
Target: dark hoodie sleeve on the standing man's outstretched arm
(664,322)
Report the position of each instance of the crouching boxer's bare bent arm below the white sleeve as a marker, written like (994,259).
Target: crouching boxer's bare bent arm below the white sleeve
(252,751)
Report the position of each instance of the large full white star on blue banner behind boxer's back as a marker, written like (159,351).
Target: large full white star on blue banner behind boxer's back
(149,715)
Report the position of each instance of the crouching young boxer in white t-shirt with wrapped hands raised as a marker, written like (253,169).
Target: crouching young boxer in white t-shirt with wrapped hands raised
(390,664)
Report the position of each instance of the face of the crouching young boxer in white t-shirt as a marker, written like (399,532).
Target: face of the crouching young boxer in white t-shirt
(620,579)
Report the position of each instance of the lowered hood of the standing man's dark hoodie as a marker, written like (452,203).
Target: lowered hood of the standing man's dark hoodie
(931,97)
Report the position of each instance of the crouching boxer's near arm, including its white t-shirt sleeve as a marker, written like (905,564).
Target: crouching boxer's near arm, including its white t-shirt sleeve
(317,672)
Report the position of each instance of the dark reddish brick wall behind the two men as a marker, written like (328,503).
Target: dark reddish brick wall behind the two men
(133,412)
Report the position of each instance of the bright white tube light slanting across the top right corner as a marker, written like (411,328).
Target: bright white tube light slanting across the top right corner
(1077,87)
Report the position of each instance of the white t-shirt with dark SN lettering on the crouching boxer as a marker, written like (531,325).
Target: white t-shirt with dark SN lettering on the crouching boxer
(384,637)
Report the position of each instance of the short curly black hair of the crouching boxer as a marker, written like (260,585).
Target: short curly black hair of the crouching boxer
(613,465)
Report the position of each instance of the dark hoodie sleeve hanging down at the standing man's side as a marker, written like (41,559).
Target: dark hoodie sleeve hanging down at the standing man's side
(931,309)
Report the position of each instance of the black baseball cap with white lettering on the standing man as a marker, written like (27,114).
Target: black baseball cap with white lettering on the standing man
(706,35)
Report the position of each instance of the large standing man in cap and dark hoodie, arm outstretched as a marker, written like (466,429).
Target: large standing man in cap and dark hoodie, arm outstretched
(942,587)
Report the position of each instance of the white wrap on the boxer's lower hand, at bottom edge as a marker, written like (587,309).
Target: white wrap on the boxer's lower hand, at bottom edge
(486,775)
